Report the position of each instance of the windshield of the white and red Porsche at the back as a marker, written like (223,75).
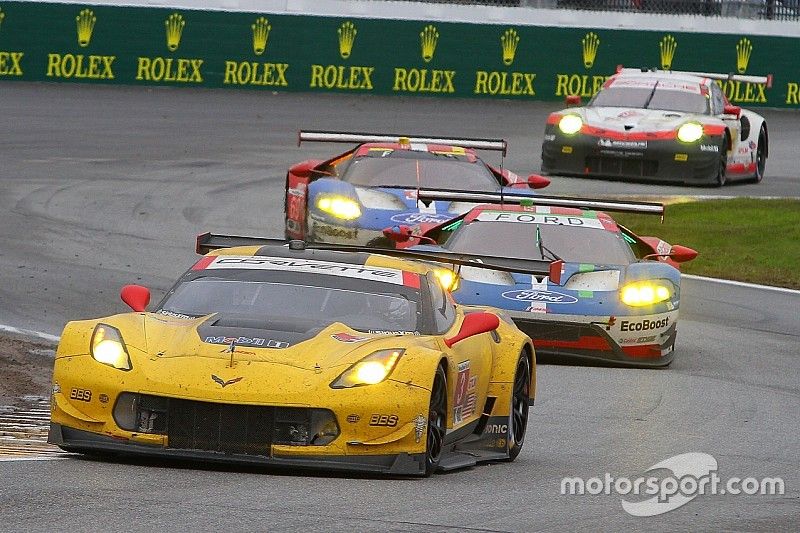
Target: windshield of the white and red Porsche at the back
(662,99)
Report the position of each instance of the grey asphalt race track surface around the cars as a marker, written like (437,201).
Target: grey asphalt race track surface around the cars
(103,186)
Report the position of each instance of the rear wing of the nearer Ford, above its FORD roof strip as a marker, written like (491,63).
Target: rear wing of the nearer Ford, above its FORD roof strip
(650,208)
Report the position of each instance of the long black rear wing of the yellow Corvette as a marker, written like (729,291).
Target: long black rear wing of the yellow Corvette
(207,242)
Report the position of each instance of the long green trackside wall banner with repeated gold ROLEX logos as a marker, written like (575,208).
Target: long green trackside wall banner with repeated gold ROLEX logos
(278,52)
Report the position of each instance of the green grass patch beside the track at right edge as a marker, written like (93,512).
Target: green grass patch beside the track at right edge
(743,239)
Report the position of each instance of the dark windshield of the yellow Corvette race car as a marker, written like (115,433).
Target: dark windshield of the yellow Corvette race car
(306,305)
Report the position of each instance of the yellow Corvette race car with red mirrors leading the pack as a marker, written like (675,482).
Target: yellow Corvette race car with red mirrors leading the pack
(287,355)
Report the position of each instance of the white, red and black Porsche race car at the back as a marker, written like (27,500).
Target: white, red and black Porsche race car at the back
(659,125)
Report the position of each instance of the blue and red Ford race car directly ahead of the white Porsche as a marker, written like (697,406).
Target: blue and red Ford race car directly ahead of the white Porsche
(351,197)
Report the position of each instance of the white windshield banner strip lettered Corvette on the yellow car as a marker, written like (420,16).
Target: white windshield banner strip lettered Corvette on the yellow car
(312,266)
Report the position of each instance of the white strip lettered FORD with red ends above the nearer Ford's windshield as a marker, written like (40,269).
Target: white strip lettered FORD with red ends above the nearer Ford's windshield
(566,216)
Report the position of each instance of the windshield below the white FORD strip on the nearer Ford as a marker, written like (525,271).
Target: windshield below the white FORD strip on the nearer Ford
(518,240)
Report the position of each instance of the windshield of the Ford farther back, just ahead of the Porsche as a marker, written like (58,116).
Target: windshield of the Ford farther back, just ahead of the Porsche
(407,168)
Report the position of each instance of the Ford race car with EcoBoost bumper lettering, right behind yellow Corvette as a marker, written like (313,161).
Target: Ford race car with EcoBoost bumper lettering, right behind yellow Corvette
(614,298)
